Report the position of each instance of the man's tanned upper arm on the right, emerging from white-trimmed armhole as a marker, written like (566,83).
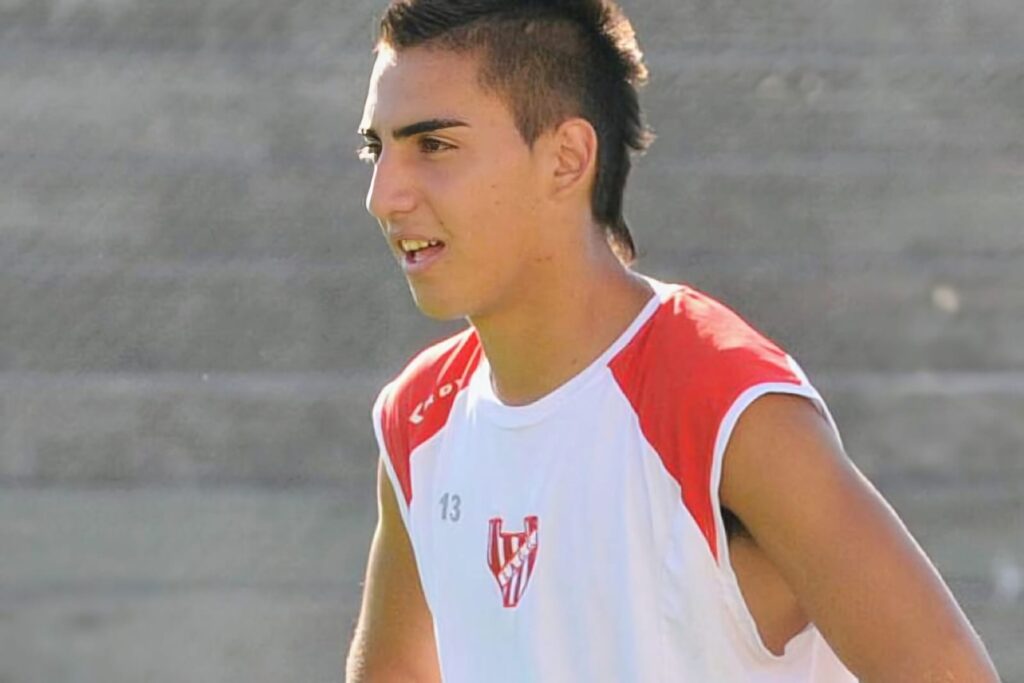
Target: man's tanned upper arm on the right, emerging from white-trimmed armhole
(856,570)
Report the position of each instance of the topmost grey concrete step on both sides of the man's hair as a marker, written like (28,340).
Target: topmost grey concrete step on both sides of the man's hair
(230,24)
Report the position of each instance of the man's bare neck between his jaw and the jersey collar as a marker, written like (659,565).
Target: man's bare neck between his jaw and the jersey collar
(558,330)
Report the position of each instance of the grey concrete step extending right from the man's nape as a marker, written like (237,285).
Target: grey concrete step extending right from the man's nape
(835,206)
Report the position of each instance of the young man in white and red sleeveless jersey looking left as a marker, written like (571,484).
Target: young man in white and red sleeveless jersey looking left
(605,478)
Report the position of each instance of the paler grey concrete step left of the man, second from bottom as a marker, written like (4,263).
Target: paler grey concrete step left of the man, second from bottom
(63,543)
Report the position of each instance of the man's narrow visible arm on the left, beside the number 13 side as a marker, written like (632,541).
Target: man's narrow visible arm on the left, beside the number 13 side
(395,637)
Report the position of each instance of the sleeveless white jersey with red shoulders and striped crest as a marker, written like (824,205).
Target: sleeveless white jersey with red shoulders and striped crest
(580,538)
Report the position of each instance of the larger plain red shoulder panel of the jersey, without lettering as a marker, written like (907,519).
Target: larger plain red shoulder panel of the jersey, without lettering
(682,373)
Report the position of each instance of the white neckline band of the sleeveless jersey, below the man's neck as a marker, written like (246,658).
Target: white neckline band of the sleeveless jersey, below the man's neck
(485,402)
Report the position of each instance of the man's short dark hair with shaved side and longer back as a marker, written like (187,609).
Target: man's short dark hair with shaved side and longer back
(550,61)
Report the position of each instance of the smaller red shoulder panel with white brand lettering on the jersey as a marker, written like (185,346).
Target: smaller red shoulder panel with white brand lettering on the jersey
(419,402)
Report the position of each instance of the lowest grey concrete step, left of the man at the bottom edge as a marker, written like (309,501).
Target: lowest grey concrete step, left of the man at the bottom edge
(254,636)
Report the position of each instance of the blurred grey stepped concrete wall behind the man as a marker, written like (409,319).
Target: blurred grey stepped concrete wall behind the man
(196,313)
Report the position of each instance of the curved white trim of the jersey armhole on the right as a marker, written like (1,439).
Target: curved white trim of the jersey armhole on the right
(735,597)
